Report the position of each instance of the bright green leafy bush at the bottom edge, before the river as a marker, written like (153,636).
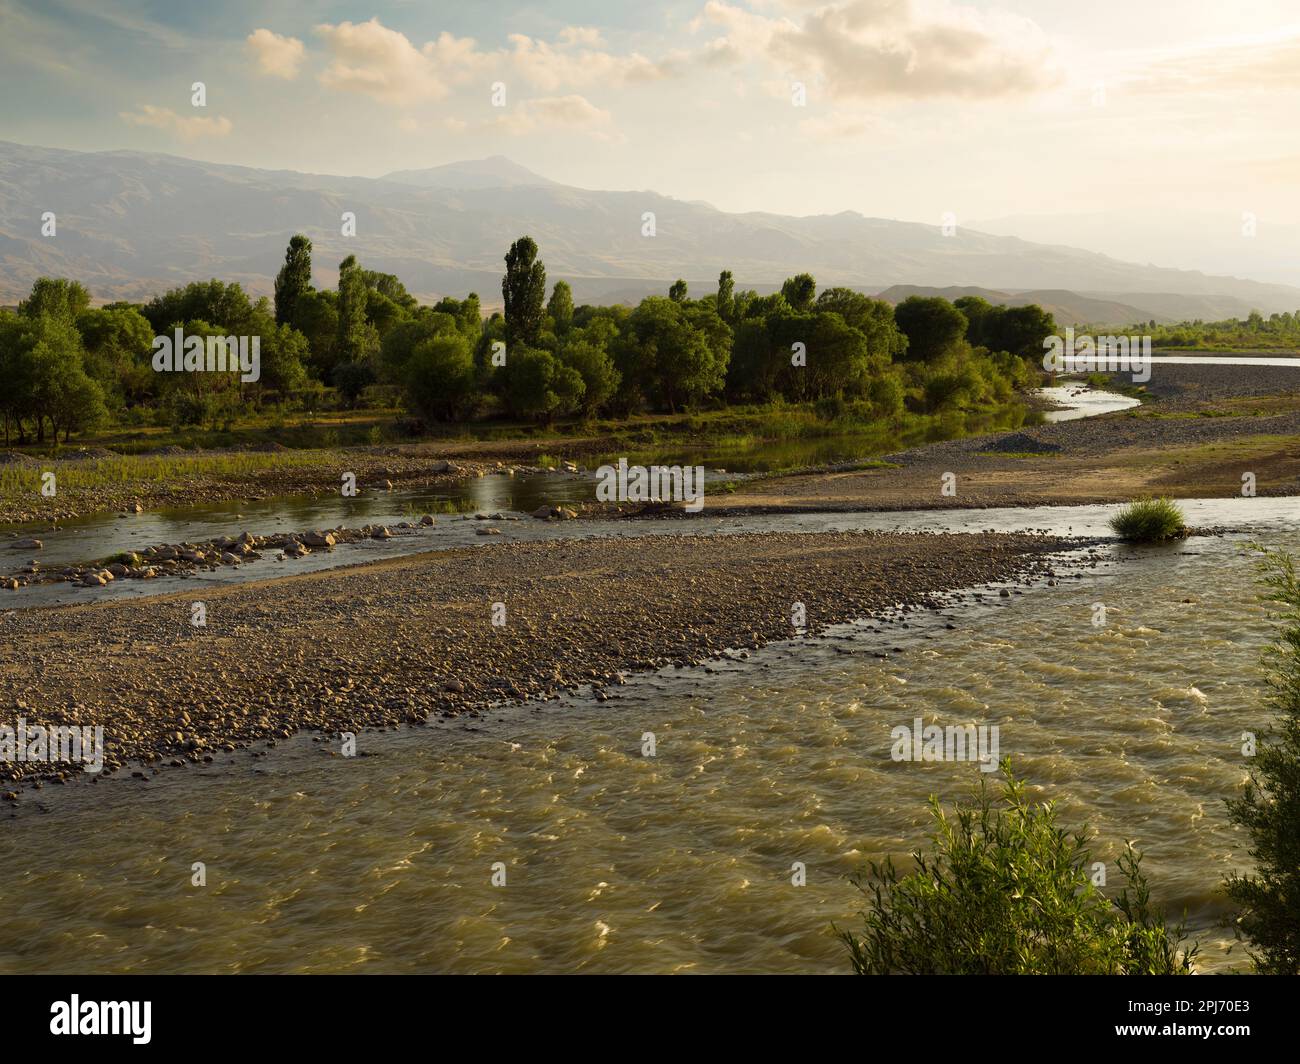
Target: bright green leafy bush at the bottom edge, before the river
(1009,893)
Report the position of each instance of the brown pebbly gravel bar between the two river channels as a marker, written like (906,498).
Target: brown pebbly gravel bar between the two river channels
(392,643)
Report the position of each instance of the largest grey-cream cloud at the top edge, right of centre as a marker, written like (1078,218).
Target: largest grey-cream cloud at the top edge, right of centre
(877,49)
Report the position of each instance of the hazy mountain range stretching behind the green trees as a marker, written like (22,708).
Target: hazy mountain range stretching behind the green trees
(132,224)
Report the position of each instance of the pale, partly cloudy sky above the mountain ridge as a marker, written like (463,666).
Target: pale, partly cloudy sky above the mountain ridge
(894,109)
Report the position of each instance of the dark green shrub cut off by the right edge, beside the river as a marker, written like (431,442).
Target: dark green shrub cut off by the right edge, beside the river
(1269,807)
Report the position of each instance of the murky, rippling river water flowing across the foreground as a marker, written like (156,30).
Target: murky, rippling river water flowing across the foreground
(683,862)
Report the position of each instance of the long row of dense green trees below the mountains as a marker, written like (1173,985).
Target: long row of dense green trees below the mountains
(72,367)
